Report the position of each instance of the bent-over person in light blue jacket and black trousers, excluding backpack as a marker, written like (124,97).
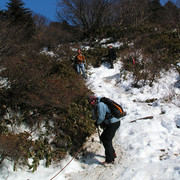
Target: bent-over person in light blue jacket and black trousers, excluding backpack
(102,115)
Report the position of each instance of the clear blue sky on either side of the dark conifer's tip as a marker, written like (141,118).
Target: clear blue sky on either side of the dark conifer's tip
(46,8)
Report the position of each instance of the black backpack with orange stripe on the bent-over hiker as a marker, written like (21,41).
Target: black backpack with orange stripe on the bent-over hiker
(116,109)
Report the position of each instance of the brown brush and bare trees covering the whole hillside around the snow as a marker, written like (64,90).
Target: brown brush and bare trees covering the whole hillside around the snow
(44,91)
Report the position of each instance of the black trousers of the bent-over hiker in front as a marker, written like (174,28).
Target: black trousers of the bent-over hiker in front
(107,137)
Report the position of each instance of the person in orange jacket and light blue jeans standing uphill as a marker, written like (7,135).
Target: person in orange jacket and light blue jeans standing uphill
(80,61)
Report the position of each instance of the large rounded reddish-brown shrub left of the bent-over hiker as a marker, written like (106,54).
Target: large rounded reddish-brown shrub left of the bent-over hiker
(42,89)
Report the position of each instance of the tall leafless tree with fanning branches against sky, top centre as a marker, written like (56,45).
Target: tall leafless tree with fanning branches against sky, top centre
(88,15)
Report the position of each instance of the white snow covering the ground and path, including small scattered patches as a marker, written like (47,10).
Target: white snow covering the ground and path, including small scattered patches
(148,149)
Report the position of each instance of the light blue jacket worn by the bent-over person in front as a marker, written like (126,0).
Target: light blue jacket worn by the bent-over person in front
(102,109)
